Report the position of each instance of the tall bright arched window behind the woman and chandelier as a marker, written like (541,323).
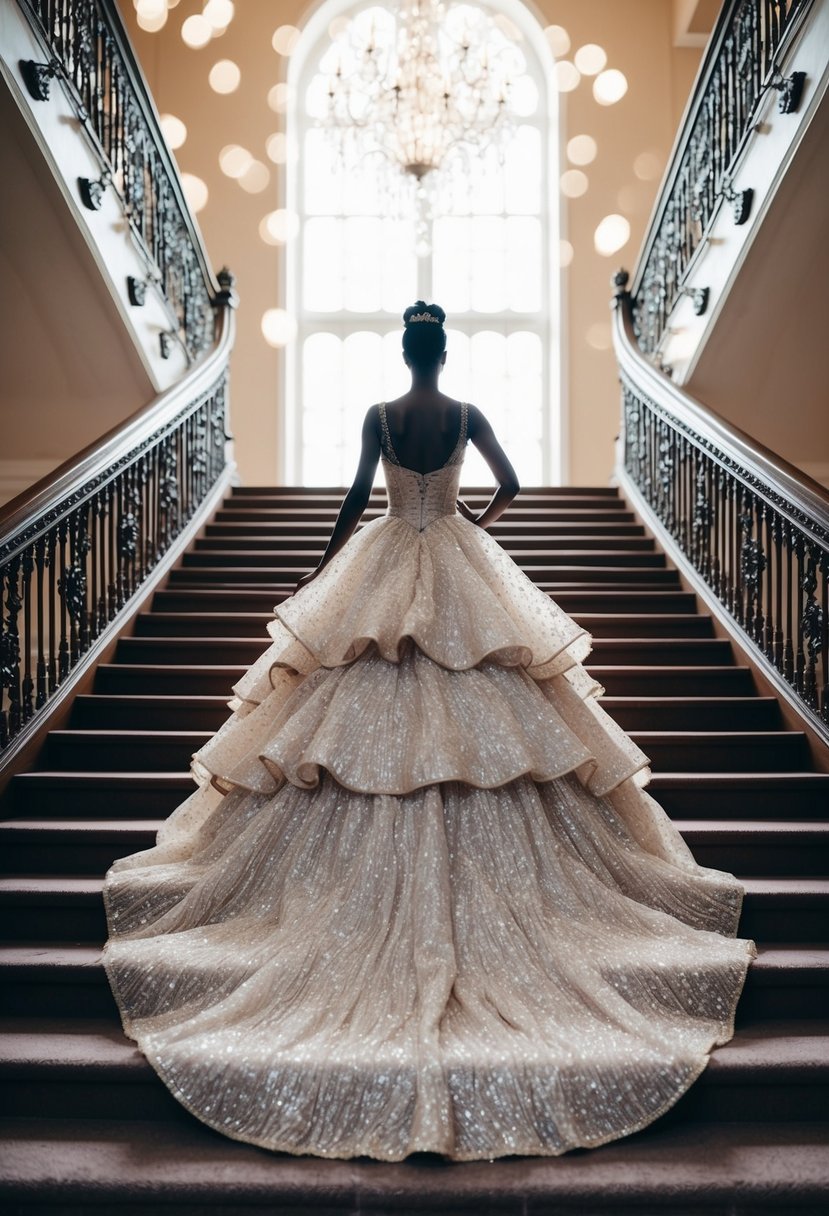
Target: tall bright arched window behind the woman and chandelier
(492,264)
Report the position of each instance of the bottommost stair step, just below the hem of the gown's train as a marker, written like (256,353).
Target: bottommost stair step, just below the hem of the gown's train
(189,1163)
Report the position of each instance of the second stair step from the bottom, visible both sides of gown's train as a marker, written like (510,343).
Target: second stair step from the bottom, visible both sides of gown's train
(49,1067)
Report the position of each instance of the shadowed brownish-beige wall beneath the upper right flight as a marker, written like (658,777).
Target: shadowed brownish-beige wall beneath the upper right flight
(766,365)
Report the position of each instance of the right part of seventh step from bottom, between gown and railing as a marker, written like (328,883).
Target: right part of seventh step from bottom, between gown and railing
(725,751)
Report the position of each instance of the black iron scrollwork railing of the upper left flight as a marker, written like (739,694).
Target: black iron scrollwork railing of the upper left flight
(87,52)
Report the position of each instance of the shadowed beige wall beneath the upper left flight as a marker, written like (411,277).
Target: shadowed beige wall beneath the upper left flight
(70,370)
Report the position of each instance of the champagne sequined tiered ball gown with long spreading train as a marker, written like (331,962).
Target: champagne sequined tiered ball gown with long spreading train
(420,899)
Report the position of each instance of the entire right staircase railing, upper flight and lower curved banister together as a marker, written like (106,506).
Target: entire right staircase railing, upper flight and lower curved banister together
(747,526)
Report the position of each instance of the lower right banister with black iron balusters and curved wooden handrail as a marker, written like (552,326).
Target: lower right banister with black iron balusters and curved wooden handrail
(755,530)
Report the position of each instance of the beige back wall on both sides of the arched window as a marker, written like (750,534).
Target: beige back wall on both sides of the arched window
(638,36)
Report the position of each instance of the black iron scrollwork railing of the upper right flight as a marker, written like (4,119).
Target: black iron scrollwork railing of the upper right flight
(741,66)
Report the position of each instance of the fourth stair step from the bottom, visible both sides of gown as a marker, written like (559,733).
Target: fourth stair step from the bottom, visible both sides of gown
(70,908)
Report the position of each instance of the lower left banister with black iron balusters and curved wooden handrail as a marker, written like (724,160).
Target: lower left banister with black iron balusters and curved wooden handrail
(78,548)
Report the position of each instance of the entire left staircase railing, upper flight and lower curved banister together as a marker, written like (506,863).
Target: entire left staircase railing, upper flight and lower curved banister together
(78,548)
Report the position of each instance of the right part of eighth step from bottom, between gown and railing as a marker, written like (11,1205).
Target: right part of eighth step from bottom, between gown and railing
(693,713)
